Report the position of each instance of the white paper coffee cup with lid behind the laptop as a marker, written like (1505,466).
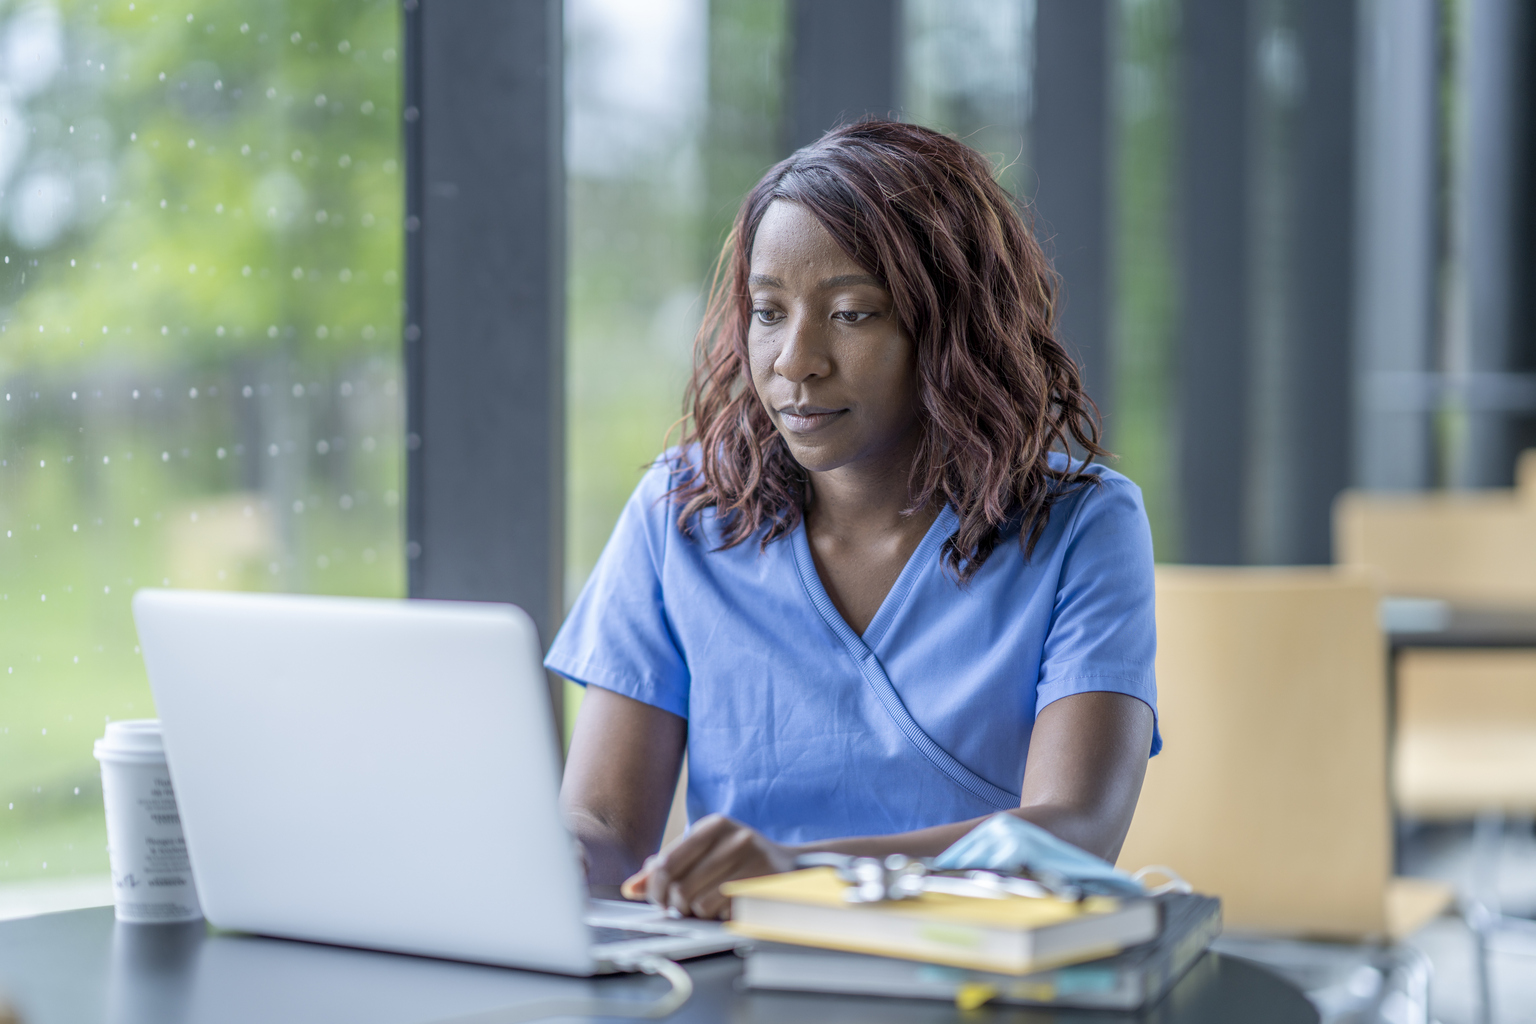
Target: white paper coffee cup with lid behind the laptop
(151,873)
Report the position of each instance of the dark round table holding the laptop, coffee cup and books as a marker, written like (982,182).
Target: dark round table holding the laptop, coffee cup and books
(82,968)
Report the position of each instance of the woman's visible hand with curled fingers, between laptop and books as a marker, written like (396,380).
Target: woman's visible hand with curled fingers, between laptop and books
(687,876)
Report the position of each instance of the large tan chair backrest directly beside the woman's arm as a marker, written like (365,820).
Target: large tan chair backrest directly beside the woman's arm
(1273,790)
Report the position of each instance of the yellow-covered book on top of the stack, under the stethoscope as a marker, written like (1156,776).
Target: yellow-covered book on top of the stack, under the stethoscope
(1011,936)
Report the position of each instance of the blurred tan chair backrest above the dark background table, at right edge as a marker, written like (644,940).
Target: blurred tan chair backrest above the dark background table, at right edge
(1458,546)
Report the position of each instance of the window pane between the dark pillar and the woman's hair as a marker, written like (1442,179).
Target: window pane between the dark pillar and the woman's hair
(672,117)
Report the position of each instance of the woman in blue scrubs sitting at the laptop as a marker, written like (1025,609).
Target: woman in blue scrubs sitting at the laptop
(870,595)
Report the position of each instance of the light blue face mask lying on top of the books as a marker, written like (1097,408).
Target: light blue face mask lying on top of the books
(1008,845)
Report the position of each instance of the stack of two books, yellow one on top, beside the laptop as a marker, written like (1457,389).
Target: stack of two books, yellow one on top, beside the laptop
(1097,954)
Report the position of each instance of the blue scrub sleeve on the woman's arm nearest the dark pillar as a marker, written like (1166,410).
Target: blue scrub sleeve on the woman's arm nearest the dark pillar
(617,635)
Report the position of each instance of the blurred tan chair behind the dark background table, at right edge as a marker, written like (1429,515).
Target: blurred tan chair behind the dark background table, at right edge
(1466,722)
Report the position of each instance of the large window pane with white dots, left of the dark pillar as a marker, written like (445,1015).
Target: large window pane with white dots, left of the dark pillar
(200,222)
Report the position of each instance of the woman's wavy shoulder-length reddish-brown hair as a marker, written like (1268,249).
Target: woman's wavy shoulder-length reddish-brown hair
(972,288)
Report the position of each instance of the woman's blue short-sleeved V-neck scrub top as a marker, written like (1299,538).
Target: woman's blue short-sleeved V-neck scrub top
(806,730)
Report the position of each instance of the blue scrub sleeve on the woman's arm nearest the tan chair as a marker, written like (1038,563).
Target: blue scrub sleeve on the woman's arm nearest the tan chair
(1104,629)
